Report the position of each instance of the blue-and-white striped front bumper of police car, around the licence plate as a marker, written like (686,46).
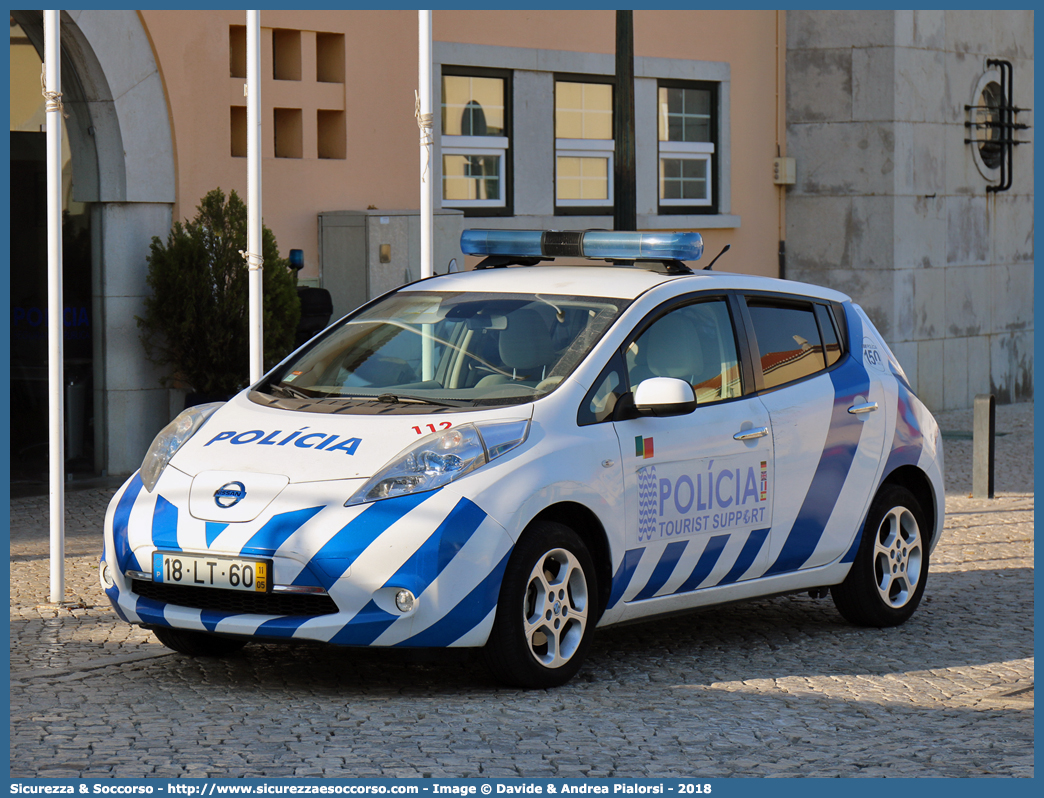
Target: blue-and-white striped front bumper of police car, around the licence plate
(336,570)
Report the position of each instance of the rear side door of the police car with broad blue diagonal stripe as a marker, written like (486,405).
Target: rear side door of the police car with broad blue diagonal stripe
(828,424)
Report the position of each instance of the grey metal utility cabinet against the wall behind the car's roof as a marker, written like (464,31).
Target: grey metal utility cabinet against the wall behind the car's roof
(365,254)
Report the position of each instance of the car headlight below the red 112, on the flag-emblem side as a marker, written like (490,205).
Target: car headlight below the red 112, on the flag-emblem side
(439,459)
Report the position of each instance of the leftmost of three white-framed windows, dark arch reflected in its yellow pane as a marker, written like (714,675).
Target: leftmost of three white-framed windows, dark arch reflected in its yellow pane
(476,118)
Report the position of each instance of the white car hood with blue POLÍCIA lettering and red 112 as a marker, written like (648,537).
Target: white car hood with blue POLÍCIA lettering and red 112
(247,438)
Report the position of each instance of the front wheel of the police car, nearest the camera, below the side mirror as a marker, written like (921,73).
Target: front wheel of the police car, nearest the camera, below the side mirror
(548,609)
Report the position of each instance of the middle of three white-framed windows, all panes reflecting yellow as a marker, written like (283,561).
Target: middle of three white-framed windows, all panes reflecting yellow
(583,145)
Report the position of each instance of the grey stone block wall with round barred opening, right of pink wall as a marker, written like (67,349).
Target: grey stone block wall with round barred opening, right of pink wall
(891,205)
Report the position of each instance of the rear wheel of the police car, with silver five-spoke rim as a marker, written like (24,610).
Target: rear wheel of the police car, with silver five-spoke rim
(891,569)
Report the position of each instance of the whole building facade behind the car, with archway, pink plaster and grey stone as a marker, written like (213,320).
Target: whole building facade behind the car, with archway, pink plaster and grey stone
(524,138)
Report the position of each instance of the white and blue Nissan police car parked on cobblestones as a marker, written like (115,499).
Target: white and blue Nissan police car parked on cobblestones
(509,458)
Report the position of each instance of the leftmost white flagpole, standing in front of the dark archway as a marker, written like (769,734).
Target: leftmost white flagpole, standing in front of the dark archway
(56,372)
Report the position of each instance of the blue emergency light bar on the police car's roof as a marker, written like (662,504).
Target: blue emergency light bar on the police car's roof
(592,244)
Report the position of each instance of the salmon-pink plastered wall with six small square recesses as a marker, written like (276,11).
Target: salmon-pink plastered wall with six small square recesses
(383,159)
